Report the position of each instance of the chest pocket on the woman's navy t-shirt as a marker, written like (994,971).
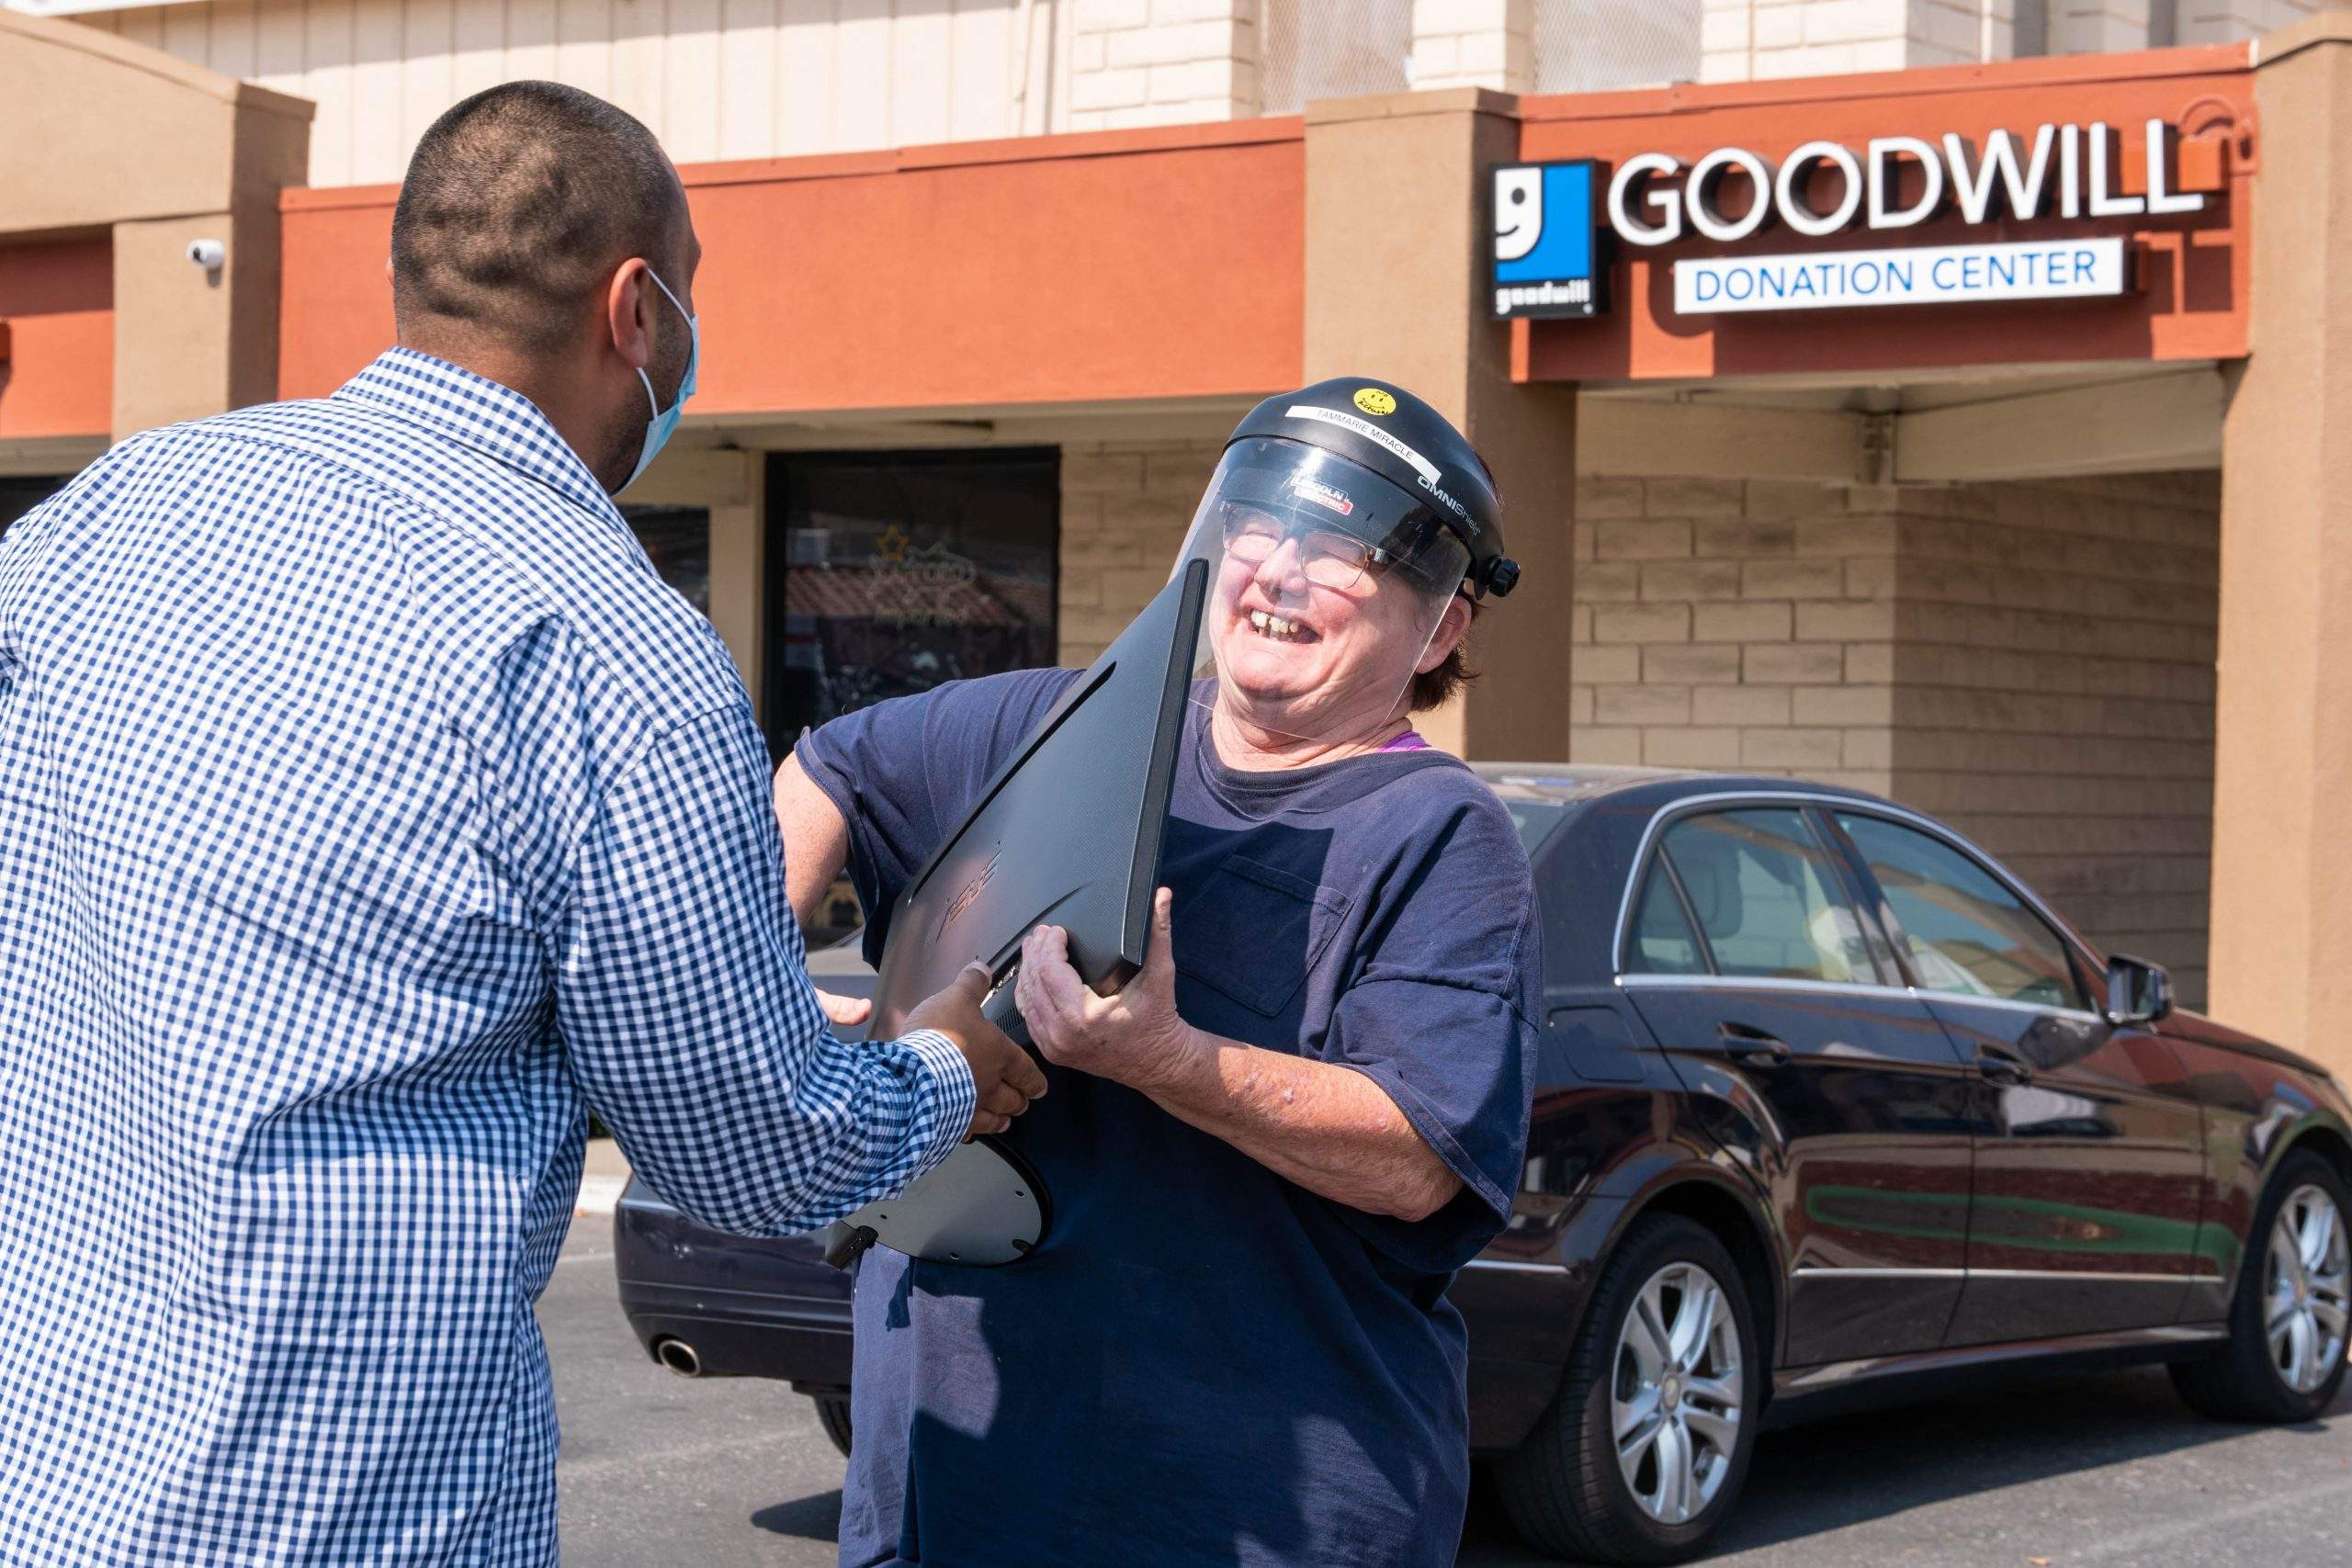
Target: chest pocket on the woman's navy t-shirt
(1255,932)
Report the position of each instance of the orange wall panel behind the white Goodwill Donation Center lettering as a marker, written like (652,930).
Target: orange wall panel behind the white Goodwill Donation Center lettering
(2196,269)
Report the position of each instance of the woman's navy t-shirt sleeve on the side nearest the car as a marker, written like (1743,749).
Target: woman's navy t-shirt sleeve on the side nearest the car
(1441,1019)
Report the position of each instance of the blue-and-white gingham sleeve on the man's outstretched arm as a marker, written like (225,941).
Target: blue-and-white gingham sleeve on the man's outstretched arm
(686,1005)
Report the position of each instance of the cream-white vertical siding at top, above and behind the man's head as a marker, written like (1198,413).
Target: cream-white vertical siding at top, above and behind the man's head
(716,79)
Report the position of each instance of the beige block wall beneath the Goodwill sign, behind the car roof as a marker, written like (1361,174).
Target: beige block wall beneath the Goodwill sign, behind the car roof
(2026,662)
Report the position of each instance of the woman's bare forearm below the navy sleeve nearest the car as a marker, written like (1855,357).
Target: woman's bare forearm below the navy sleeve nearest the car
(1330,1130)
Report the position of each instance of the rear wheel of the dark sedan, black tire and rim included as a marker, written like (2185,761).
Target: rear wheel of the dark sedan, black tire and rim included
(1643,1454)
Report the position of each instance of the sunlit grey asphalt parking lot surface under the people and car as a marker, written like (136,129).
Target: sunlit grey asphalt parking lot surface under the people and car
(2080,1470)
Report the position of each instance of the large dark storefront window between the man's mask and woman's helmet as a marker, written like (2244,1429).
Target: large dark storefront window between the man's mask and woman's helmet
(900,572)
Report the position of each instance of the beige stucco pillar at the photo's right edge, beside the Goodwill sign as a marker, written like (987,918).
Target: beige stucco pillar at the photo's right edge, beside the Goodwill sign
(2283,859)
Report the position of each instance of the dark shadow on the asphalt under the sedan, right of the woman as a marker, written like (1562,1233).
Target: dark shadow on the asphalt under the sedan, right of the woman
(1862,1468)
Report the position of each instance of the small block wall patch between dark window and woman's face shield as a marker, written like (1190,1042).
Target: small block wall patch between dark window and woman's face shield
(1125,509)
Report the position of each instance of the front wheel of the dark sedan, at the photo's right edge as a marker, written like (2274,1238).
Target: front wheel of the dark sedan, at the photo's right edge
(2285,1358)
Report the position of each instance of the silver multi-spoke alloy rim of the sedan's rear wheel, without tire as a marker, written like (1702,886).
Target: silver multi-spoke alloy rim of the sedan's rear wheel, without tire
(1676,1393)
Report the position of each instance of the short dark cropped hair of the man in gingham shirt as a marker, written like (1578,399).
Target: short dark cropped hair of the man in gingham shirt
(521,203)
